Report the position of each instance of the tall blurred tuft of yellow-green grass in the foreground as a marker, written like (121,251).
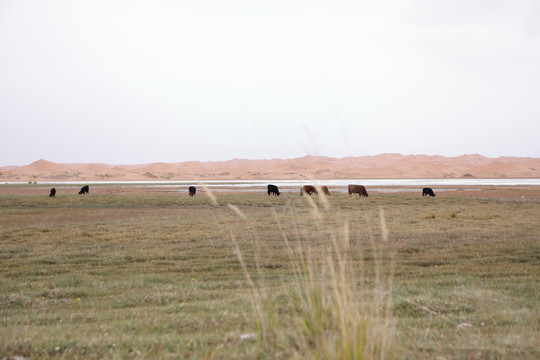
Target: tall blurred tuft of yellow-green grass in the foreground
(325,317)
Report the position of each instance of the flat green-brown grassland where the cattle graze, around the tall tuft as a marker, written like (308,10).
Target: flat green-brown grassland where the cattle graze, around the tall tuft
(171,276)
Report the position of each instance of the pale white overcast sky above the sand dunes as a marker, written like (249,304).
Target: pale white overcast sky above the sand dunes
(125,82)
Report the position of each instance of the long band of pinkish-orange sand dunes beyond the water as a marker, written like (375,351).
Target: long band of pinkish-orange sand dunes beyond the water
(307,167)
